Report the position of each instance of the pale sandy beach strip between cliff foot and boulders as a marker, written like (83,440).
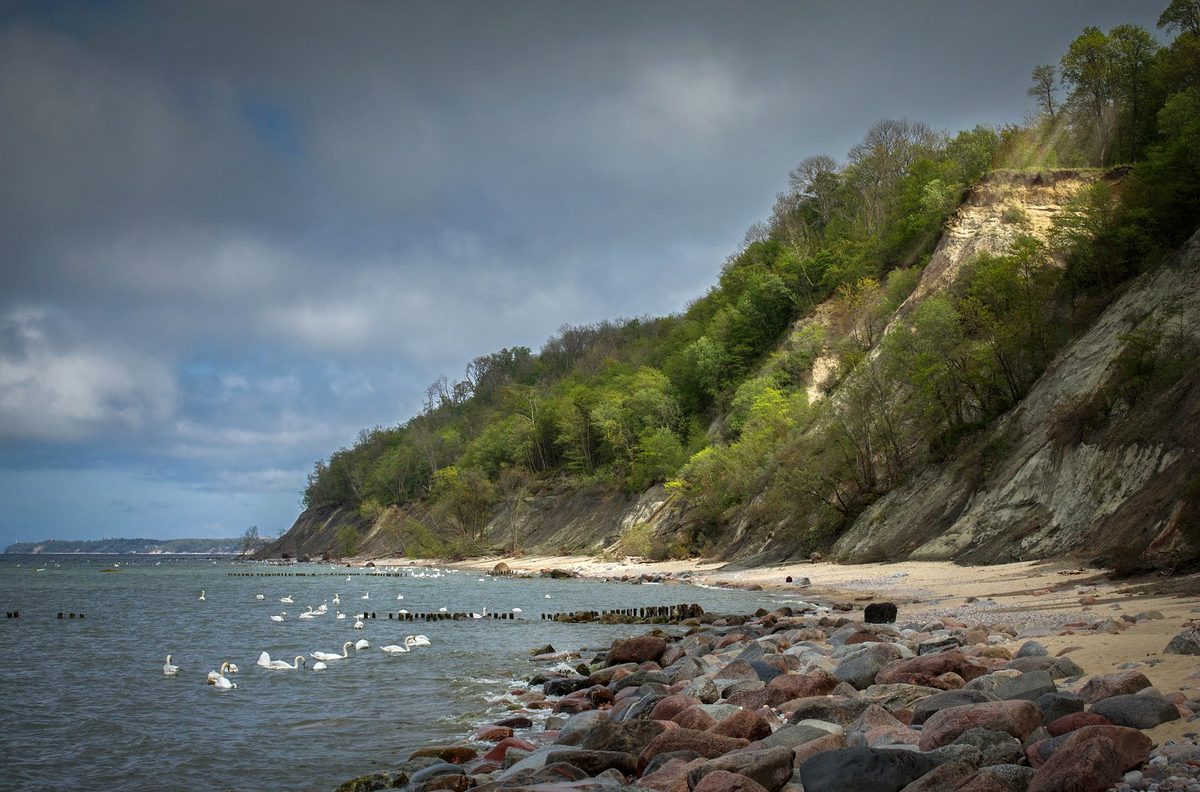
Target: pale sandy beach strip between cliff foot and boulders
(1048,601)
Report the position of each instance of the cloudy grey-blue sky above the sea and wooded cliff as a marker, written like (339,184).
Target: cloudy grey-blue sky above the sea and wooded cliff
(235,235)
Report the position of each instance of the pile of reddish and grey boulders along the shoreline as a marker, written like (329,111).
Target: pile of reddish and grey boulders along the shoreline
(802,704)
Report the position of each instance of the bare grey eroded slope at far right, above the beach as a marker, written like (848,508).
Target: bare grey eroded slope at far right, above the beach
(1120,494)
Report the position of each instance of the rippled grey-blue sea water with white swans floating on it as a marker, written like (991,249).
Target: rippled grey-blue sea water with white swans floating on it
(85,704)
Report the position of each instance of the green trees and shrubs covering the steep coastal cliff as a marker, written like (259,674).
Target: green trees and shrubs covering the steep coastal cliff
(729,403)
